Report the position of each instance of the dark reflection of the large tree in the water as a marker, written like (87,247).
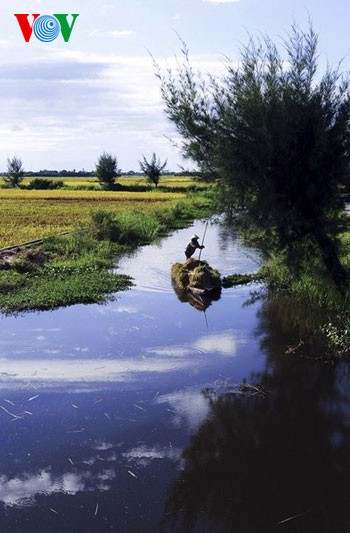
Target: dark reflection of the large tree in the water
(261,459)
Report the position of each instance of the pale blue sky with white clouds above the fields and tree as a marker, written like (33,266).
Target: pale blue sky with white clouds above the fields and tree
(62,104)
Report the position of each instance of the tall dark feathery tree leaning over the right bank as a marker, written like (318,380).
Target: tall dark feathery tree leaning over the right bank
(277,134)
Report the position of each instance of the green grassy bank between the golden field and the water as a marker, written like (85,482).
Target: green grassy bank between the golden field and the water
(79,267)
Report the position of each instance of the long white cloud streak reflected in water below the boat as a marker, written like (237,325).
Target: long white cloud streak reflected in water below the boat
(63,373)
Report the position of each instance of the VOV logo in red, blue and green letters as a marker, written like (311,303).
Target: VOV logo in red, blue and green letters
(46,28)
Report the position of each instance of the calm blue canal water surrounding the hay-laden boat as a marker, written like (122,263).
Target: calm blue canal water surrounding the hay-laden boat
(129,416)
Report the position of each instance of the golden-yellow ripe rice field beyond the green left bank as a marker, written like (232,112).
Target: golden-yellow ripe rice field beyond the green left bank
(32,214)
